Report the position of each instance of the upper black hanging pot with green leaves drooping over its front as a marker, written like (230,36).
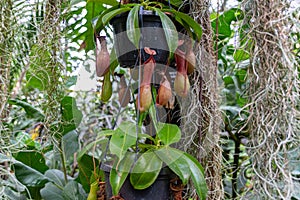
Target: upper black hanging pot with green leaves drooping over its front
(153,36)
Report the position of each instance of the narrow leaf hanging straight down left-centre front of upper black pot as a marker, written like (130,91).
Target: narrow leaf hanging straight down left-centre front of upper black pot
(132,26)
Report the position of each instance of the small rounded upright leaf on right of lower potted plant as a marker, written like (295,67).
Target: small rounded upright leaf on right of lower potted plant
(168,133)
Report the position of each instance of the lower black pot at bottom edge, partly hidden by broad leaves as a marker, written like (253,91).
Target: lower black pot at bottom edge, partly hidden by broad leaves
(159,190)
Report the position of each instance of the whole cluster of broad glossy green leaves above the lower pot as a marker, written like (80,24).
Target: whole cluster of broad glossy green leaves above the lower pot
(144,161)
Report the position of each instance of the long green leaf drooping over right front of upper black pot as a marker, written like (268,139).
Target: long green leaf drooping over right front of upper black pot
(170,31)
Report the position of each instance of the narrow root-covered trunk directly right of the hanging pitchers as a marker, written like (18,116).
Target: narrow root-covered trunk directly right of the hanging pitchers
(201,116)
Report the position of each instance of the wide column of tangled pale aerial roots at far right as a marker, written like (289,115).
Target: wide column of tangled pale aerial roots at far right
(274,96)
